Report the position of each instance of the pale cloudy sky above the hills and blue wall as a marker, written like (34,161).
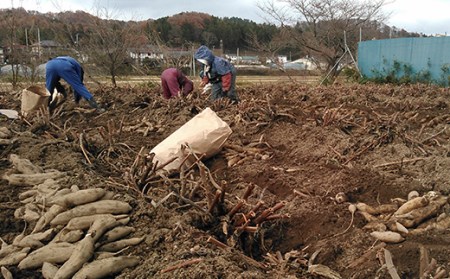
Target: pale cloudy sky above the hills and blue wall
(428,17)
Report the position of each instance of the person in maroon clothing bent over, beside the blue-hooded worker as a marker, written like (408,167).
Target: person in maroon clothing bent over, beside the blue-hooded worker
(174,82)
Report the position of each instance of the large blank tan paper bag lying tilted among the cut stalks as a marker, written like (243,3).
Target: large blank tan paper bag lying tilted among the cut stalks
(205,134)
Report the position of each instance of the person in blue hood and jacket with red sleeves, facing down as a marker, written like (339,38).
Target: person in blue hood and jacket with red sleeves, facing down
(219,72)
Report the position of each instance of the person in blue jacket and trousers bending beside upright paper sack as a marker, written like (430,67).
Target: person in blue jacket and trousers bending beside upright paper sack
(67,68)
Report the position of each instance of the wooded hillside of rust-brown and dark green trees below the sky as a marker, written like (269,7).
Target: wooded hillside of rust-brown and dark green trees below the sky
(174,31)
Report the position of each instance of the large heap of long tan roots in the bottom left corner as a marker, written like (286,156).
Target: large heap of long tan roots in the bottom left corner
(76,234)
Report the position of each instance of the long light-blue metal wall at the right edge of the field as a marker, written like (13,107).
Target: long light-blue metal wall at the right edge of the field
(421,56)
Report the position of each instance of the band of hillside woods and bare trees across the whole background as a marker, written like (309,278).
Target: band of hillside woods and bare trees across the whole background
(299,27)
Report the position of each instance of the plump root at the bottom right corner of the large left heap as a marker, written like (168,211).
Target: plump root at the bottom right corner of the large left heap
(106,267)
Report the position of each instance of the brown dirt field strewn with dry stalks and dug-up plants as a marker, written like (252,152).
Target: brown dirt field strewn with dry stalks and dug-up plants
(303,153)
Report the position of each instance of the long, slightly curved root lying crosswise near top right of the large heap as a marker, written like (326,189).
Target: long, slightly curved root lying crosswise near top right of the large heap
(98,207)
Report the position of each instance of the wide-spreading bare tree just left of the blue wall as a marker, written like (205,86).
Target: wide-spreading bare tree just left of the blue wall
(318,26)
